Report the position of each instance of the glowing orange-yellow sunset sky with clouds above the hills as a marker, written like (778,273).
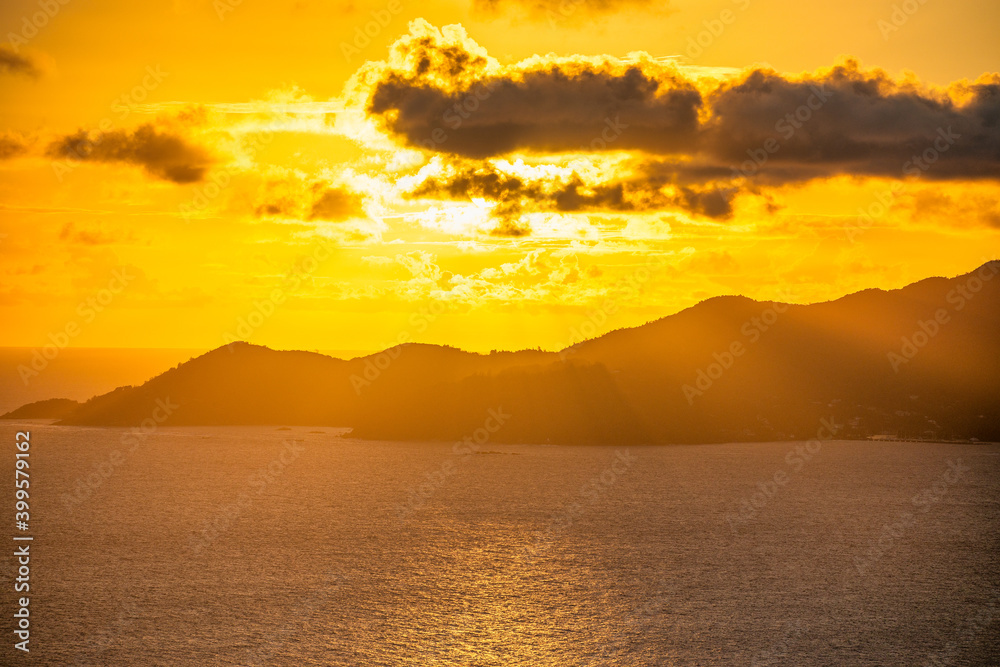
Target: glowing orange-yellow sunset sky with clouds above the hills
(478,173)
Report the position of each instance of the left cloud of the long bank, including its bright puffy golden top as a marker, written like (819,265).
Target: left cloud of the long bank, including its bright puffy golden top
(540,105)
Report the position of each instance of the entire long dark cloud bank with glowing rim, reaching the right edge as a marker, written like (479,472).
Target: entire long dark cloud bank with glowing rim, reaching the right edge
(439,91)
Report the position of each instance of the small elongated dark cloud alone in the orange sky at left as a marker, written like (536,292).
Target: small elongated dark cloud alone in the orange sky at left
(162,153)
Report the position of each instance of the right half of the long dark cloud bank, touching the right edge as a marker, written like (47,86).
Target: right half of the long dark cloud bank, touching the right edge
(851,121)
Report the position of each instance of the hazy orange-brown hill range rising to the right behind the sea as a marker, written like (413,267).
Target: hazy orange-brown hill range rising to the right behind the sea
(921,361)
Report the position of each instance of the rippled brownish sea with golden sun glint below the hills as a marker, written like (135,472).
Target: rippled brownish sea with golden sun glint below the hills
(235,546)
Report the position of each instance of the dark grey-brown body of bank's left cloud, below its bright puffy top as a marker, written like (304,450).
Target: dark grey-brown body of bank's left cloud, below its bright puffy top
(555,109)
